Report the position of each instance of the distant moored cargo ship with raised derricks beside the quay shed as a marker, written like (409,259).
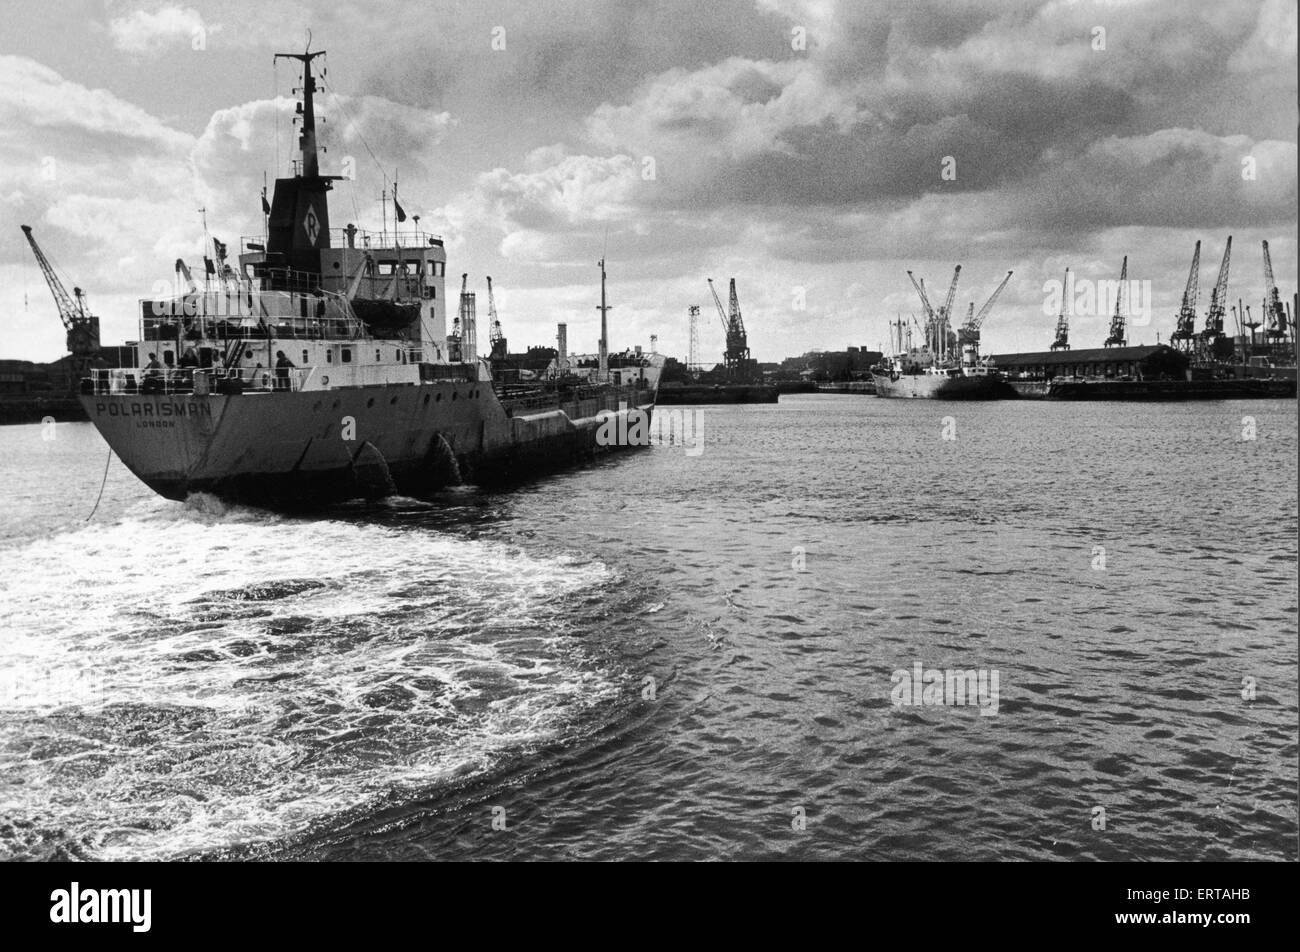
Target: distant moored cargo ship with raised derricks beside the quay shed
(943,365)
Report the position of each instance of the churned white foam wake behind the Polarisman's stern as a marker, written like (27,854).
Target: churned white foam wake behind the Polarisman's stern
(207,677)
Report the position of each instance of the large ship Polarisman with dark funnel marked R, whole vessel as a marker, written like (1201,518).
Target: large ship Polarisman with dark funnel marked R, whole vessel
(322,369)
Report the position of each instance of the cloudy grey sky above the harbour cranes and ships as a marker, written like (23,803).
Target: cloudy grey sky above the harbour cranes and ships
(814,150)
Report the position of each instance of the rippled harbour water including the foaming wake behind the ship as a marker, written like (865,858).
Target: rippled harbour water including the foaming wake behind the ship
(674,656)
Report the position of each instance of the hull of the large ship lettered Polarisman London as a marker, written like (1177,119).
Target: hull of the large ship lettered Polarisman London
(300,449)
